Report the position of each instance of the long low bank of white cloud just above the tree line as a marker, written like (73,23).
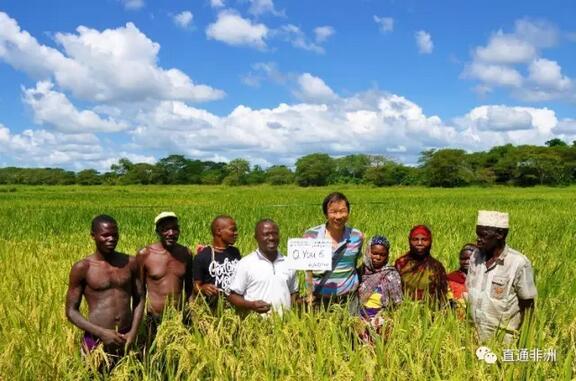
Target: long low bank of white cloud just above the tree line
(370,122)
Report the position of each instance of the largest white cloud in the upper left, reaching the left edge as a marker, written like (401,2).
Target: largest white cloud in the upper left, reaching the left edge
(102,66)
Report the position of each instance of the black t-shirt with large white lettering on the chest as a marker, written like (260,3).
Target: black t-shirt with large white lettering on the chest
(220,271)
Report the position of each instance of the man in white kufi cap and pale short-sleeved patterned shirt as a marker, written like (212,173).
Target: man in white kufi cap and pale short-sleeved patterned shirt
(500,280)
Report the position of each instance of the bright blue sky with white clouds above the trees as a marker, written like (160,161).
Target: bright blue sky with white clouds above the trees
(84,83)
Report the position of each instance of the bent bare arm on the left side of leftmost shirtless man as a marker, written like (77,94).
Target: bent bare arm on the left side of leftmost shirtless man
(76,286)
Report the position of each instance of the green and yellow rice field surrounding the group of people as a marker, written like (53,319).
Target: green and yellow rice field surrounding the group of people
(44,230)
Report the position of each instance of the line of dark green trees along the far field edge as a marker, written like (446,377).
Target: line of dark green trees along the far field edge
(526,165)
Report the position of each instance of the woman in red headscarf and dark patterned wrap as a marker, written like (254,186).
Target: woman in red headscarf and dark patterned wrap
(423,277)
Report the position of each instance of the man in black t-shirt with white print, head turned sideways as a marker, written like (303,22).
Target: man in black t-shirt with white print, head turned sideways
(214,265)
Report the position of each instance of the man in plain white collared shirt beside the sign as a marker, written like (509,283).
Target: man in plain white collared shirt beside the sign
(263,280)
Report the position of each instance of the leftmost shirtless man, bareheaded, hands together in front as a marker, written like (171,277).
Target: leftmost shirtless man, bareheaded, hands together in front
(109,281)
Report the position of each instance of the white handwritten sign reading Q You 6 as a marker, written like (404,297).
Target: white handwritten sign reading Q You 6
(310,254)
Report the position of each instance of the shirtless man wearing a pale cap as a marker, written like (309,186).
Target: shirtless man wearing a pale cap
(165,270)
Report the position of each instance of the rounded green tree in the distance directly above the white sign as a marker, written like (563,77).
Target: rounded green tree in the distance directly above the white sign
(314,169)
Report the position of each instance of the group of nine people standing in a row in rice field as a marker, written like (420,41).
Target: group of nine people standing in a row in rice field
(494,282)
